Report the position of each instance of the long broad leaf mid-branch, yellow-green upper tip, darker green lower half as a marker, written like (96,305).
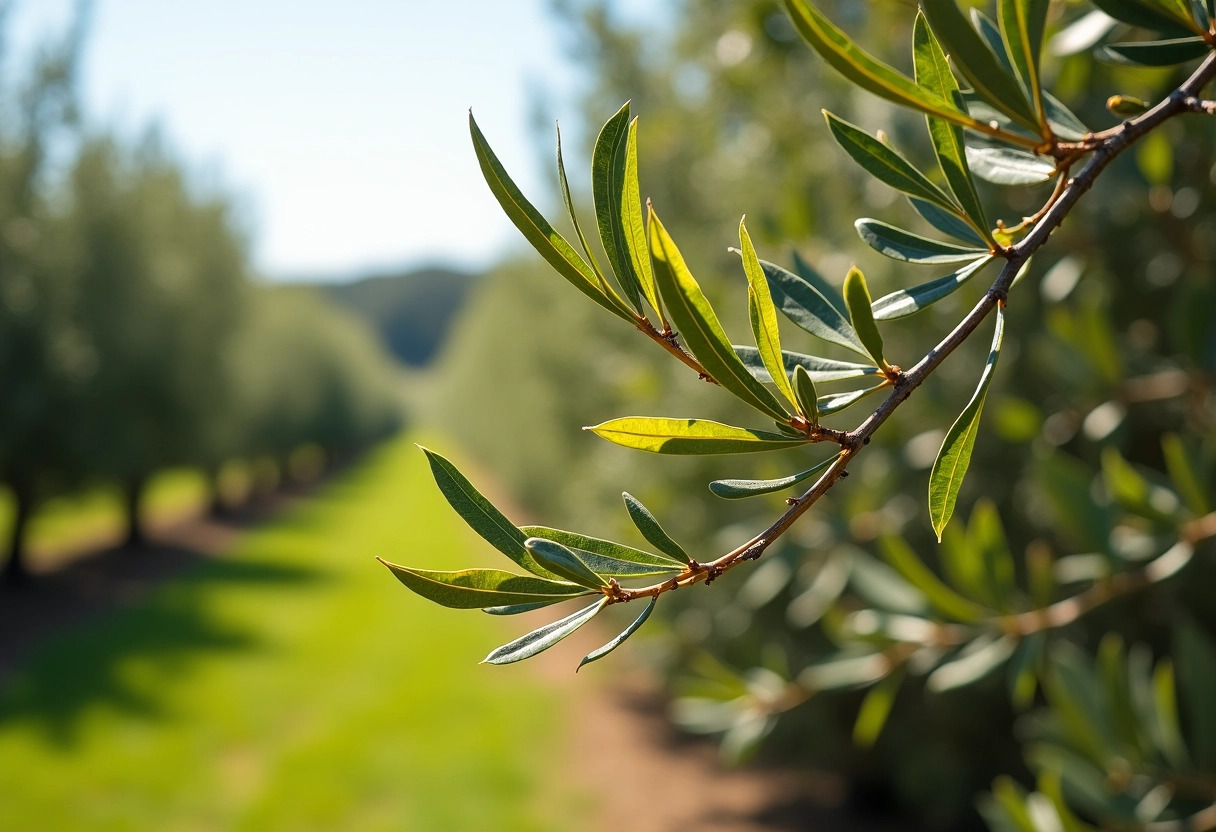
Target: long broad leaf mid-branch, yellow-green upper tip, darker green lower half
(700,328)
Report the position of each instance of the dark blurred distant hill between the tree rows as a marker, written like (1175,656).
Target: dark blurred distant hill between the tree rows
(413,312)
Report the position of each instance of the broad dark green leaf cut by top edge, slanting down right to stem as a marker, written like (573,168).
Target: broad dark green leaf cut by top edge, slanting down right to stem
(977,63)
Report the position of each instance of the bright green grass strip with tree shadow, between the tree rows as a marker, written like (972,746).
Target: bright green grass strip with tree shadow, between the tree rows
(291,685)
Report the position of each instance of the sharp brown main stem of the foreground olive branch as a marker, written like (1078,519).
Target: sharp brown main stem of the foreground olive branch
(1106,147)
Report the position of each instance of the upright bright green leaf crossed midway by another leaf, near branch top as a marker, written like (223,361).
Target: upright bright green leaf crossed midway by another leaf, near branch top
(933,72)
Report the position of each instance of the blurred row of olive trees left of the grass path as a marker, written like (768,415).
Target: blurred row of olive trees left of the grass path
(132,338)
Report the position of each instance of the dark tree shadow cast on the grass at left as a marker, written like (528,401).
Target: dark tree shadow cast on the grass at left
(74,640)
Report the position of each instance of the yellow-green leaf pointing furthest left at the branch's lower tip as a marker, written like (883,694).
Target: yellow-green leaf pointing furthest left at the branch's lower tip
(471,589)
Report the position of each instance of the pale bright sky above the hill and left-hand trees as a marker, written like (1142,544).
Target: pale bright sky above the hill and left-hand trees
(341,127)
